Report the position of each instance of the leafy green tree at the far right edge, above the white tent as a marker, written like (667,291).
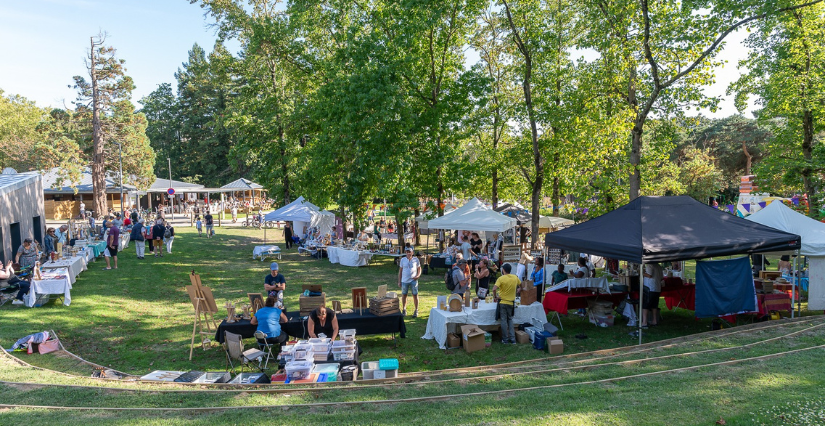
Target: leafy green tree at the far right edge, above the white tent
(786,74)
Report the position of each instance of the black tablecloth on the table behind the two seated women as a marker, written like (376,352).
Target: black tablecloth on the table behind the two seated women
(365,324)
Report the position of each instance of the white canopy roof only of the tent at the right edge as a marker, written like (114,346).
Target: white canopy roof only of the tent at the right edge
(779,216)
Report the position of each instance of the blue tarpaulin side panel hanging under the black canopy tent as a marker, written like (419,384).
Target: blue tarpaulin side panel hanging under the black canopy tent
(724,287)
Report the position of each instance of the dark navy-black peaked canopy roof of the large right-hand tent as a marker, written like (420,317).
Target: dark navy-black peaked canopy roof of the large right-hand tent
(659,229)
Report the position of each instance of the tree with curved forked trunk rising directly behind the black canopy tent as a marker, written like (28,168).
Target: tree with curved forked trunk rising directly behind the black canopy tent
(662,53)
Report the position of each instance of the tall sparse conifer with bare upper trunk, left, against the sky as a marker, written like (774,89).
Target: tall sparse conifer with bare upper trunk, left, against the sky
(103,104)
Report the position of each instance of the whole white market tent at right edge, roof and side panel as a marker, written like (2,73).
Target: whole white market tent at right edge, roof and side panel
(779,216)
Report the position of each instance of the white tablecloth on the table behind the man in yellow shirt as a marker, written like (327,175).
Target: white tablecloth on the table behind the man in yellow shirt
(484,315)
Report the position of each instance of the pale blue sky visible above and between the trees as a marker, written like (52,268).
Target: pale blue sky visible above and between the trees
(43,43)
